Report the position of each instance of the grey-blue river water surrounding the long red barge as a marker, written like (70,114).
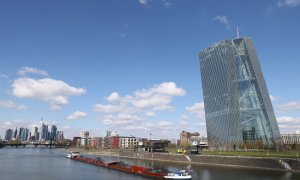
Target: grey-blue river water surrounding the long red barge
(51,164)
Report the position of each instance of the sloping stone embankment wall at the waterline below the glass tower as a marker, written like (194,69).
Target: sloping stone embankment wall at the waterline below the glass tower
(250,162)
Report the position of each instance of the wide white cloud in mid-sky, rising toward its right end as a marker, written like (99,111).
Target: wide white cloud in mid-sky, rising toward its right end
(156,98)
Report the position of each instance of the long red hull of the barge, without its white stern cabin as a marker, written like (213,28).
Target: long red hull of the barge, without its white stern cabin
(138,170)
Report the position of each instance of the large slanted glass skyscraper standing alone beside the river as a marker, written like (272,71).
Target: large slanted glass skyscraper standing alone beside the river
(237,103)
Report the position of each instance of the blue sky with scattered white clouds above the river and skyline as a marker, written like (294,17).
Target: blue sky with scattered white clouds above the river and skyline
(132,66)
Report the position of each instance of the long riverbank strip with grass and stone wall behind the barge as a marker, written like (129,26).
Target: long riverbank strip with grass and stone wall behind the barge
(271,163)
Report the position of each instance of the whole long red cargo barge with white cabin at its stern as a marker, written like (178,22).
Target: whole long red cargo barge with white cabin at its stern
(158,173)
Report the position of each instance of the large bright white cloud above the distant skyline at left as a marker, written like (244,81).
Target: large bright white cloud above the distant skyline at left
(55,92)
